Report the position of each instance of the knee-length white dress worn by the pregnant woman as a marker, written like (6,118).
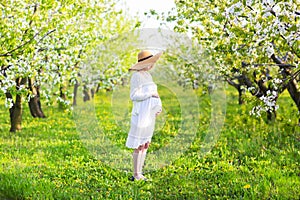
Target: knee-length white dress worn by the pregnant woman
(144,109)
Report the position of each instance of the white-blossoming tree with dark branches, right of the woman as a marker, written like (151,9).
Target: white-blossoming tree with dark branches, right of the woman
(254,44)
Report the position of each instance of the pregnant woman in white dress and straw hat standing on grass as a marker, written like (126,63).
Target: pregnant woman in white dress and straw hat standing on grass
(146,106)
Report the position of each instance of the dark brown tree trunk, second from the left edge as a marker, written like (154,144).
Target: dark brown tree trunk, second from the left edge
(34,102)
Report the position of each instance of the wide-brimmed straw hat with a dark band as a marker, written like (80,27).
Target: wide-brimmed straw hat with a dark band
(145,59)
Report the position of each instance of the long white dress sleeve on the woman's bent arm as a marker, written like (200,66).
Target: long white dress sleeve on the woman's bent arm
(136,92)
